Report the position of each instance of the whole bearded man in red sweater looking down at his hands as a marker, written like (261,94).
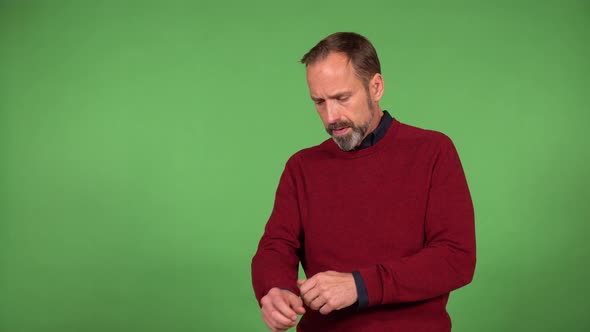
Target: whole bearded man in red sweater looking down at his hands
(380,216)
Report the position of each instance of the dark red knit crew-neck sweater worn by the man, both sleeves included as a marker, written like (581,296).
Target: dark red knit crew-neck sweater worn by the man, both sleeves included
(398,212)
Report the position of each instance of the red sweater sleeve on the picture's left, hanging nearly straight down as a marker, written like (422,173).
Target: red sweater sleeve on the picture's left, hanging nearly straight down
(276,261)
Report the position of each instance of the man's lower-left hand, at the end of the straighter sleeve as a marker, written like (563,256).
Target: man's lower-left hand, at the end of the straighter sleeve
(280,308)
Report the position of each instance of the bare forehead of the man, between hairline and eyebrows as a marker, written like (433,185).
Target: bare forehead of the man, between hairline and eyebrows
(333,72)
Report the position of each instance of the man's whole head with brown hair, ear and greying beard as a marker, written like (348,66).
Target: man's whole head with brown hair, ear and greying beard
(345,82)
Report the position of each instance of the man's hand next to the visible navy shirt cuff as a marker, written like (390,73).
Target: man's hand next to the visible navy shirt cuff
(328,291)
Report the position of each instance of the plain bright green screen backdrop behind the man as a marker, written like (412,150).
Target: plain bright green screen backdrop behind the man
(141,144)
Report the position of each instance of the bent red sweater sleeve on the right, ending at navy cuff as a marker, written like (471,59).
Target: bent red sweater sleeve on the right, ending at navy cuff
(447,260)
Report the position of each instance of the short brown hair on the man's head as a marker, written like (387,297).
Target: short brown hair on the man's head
(357,48)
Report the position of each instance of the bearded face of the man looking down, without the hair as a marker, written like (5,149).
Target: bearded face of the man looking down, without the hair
(342,100)
